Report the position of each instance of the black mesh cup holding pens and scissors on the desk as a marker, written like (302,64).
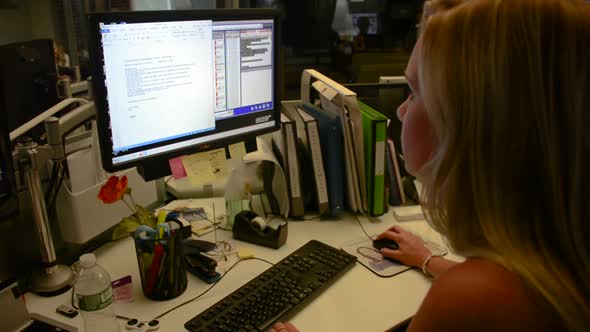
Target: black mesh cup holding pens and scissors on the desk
(161,266)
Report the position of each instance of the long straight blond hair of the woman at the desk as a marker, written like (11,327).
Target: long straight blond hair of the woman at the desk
(506,85)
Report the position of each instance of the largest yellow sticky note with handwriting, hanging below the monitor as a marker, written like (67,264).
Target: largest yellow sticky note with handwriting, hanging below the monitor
(205,167)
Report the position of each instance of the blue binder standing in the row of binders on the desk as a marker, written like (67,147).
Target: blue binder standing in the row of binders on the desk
(330,134)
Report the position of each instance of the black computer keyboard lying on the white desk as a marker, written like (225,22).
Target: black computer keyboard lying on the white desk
(277,292)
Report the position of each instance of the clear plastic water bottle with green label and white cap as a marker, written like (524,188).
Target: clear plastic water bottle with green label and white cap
(94,294)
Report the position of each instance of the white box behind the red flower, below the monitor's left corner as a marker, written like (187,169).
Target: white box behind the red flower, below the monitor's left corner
(82,216)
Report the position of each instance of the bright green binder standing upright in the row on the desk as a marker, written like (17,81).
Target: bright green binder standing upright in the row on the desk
(374,140)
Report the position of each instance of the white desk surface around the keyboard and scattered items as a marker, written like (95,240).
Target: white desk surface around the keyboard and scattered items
(358,301)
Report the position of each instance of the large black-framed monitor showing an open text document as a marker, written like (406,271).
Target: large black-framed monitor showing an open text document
(169,83)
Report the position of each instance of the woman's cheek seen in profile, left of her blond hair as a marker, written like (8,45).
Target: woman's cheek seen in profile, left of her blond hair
(417,139)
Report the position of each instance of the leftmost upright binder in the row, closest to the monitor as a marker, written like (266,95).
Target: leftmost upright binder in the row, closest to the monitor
(283,142)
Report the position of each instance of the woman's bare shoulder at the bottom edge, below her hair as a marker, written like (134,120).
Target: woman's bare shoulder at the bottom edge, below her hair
(480,295)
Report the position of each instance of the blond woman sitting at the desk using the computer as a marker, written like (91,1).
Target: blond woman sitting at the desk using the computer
(497,130)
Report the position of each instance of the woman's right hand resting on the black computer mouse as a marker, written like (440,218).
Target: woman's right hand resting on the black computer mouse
(412,250)
